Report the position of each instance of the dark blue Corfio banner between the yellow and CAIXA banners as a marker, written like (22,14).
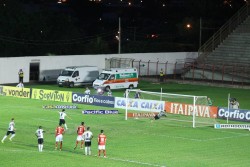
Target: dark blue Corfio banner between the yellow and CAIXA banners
(97,100)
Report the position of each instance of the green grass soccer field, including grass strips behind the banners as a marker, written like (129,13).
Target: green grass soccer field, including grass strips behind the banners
(135,142)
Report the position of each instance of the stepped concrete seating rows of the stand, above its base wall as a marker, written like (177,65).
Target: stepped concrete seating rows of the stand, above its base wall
(235,49)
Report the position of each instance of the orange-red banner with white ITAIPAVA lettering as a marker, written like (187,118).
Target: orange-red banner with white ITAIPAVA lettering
(187,109)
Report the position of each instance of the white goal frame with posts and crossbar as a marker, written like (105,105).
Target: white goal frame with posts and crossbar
(161,93)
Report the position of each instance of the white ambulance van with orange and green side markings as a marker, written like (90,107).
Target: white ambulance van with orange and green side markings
(117,78)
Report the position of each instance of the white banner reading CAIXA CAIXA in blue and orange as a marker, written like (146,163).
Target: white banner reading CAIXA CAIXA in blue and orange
(140,104)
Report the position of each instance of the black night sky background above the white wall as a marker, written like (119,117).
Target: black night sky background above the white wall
(157,22)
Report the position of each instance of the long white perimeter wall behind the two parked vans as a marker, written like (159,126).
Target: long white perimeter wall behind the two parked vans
(9,67)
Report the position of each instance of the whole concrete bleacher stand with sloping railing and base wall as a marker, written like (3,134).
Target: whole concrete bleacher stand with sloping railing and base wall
(226,55)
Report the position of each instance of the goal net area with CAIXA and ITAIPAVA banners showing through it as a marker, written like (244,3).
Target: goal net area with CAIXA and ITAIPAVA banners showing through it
(187,110)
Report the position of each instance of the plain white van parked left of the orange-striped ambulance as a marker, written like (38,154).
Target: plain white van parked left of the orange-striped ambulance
(77,76)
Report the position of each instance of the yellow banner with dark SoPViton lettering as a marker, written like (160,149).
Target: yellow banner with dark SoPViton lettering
(52,95)
